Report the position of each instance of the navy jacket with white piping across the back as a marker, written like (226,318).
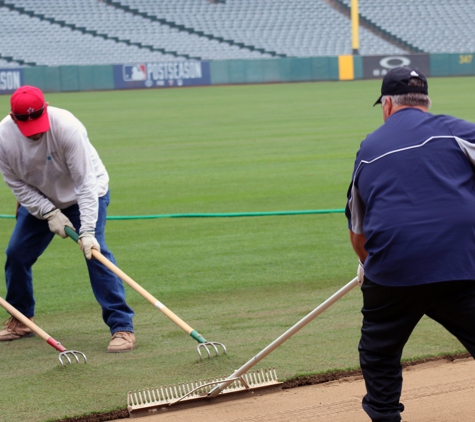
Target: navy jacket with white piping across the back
(413,196)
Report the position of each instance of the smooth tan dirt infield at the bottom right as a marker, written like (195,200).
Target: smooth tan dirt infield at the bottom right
(436,391)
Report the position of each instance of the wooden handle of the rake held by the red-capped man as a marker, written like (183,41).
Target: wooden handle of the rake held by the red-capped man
(139,289)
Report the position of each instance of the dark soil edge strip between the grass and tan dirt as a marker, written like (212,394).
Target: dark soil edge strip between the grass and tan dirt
(293,383)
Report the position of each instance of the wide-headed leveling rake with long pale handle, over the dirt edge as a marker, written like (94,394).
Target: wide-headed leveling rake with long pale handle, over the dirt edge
(143,402)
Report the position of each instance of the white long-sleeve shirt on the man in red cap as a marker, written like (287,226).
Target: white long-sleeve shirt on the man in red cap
(59,170)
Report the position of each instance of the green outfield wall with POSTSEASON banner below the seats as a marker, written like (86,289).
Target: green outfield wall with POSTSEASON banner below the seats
(228,72)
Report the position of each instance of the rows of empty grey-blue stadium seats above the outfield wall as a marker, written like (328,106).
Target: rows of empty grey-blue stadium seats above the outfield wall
(102,32)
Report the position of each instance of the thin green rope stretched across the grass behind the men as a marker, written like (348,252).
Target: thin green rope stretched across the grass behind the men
(198,215)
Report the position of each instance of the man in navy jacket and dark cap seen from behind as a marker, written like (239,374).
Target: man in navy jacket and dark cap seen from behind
(411,215)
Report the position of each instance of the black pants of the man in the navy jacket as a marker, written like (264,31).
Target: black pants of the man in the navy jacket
(390,314)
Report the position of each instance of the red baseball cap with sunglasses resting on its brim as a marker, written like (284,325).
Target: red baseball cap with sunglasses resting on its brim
(30,110)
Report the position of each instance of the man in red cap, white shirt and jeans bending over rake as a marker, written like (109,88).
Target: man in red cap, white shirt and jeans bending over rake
(59,180)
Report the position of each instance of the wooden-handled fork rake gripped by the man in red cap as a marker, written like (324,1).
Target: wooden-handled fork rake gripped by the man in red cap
(203,343)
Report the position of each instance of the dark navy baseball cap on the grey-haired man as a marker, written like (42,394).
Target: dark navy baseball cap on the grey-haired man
(396,82)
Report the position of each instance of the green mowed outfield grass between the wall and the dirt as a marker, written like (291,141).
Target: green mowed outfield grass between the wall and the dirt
(239,281)
